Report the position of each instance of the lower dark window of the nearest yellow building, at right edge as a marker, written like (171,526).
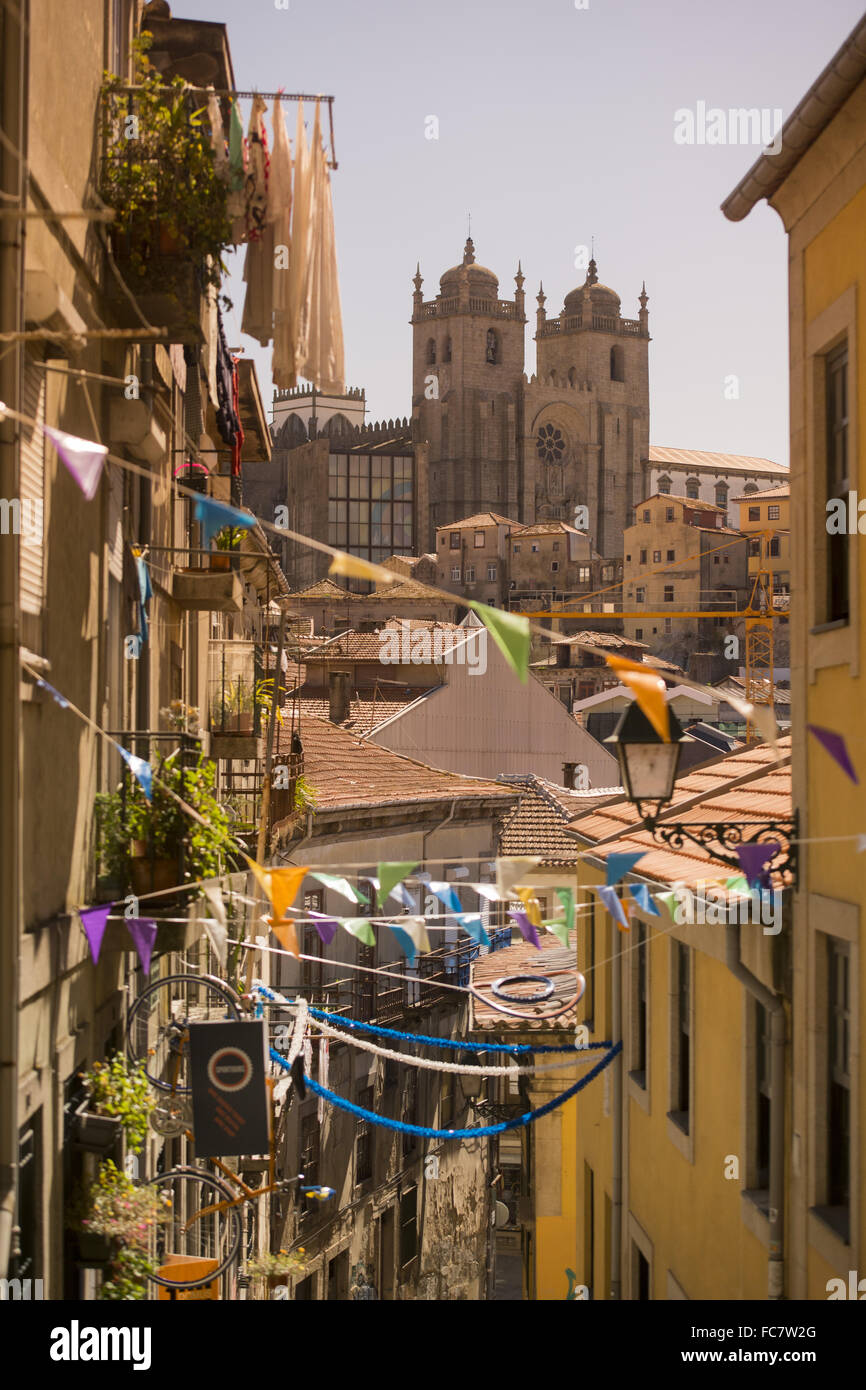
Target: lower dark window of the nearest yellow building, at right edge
(839,1081)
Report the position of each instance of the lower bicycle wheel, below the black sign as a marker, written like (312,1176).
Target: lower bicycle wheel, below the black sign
(194,1228)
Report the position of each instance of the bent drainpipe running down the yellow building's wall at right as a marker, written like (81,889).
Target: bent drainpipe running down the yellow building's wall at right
(775,1007)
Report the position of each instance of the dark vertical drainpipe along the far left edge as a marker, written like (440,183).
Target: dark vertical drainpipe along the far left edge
(13,181)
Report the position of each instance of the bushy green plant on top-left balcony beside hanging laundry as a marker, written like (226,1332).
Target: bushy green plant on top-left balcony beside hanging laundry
(159,173)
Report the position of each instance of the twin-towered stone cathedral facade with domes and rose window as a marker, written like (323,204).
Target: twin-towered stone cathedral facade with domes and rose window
(532,448)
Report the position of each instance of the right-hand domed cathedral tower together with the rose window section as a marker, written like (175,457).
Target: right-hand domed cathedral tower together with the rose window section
(586,415)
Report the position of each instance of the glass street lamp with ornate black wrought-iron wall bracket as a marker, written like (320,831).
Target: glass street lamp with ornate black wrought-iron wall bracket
(648,767)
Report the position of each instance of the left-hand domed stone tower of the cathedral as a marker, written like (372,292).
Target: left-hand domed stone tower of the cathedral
(466,386)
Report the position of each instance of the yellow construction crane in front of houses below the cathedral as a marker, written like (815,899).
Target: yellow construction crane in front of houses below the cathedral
(758,616)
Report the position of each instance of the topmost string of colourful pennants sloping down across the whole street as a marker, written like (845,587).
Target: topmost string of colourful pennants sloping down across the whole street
(512,632)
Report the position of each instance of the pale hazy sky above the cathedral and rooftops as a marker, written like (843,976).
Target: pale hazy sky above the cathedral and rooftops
(557,124)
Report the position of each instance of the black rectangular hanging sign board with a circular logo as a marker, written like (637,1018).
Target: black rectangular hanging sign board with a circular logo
(230,1099)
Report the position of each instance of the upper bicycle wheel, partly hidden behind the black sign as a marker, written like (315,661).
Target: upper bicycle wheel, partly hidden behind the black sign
(156,1032)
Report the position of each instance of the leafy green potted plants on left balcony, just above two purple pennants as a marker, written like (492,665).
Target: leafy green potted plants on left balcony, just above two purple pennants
(163,825)
